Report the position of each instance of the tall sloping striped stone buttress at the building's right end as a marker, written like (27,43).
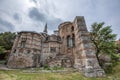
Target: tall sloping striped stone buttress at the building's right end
(85,58)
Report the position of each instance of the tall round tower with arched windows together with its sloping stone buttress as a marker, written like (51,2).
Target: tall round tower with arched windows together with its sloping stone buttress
(83,51)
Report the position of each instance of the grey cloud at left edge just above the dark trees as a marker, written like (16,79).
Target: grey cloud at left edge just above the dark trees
(6,26)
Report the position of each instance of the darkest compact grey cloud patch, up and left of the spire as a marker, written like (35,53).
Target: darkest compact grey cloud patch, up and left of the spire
(36,15)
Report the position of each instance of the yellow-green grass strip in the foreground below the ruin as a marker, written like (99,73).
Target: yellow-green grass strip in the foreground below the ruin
(20,75)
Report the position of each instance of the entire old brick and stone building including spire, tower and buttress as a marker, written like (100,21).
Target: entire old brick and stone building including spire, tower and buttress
(69,46)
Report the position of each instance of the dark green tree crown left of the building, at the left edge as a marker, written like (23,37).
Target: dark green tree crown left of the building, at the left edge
(7,39)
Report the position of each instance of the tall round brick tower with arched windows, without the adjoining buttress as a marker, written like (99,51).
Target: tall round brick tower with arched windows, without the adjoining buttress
(66,30)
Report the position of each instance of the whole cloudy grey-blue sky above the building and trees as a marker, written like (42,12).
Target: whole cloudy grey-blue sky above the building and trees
(32,15)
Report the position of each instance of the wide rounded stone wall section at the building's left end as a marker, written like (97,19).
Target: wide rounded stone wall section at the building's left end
(26,50)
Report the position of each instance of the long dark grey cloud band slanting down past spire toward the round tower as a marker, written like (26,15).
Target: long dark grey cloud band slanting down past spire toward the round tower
(52,22)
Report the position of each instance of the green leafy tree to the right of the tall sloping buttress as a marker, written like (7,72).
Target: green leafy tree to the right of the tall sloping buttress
(104,41)
